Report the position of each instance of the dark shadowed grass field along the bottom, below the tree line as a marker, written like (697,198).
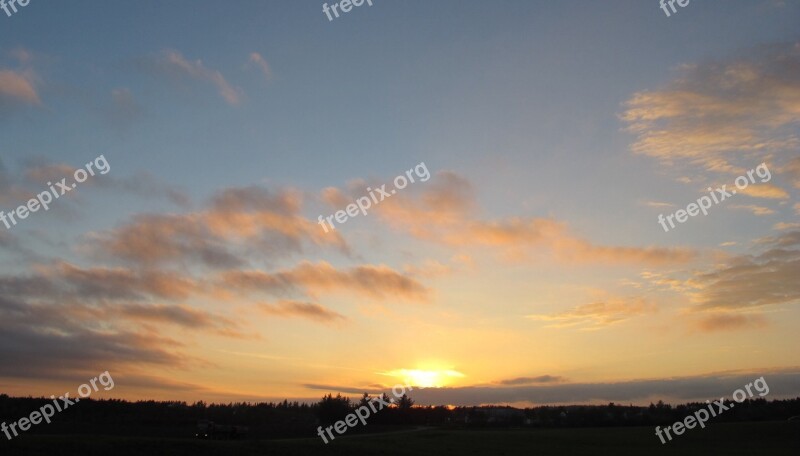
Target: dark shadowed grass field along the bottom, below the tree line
(757,439)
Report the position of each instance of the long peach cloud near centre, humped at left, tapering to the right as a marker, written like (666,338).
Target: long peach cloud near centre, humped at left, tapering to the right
(444,211)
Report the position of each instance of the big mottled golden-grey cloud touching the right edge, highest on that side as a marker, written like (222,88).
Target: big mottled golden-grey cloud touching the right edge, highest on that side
(722,115)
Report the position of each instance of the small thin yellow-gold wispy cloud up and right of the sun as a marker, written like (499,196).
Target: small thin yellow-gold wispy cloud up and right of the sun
(597,315)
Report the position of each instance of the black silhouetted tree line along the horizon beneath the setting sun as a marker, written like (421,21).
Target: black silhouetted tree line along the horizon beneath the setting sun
(296,419)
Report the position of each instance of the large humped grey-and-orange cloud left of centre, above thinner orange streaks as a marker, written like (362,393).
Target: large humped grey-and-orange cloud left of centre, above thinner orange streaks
(238,223)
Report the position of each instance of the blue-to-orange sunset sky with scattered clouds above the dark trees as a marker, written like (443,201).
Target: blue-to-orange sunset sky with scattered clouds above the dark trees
(538,256)
